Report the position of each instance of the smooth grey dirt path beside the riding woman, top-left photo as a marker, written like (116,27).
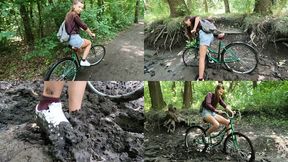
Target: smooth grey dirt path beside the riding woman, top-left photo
(123,60)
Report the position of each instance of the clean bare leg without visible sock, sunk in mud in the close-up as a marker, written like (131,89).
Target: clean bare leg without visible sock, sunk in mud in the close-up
(76,91)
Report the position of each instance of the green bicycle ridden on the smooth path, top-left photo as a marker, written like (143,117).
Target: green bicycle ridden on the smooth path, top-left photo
(66,68)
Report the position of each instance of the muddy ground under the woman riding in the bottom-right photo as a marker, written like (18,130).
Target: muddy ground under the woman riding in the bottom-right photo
(270,144)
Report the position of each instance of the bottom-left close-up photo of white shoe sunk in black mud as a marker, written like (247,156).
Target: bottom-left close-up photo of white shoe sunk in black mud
(57,121)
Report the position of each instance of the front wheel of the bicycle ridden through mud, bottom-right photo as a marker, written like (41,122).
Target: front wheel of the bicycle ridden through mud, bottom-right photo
(239,147)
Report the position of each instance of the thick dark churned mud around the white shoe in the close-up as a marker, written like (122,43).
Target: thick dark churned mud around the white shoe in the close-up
(102,130)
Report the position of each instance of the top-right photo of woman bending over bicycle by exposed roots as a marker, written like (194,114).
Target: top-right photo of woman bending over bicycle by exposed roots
(212,40)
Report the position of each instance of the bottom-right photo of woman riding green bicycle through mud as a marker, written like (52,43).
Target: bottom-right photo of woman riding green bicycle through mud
(183,122)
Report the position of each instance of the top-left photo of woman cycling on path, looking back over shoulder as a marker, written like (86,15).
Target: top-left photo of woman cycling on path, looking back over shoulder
(72,40)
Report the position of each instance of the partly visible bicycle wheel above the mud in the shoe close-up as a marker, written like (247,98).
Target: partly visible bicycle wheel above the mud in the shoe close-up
(118,90)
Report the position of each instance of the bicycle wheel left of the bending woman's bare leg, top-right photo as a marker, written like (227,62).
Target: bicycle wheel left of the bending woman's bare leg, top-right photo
(190,57)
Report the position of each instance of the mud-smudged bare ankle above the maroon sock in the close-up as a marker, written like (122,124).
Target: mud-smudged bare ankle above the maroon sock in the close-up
(53,88)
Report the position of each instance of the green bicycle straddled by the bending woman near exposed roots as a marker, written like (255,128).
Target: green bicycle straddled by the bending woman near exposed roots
(237,57)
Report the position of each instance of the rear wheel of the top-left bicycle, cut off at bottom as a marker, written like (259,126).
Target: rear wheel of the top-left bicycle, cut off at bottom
(65,69)
